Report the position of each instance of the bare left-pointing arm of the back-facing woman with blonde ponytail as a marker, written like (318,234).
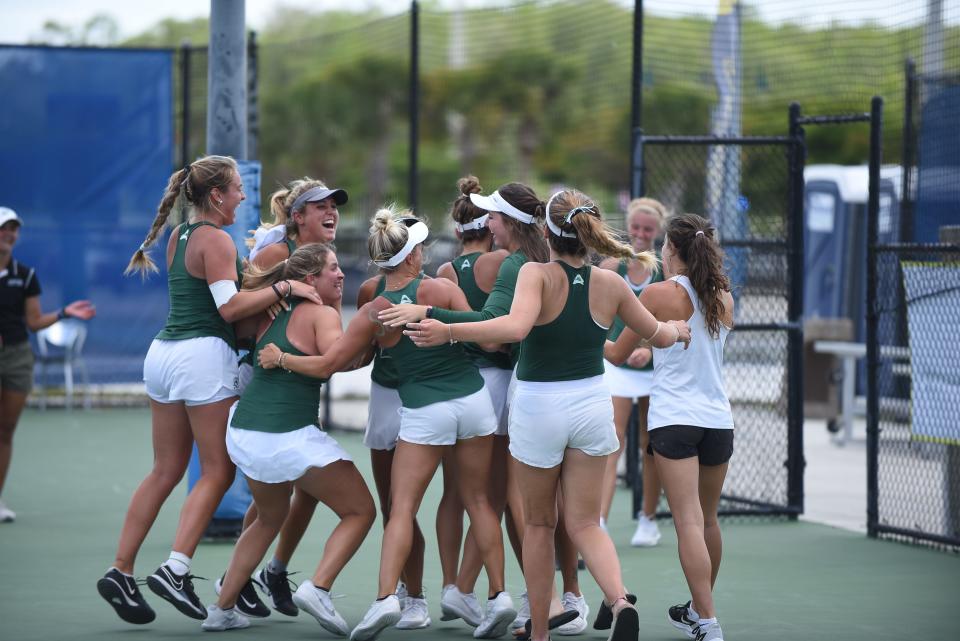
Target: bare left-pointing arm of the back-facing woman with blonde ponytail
(511,328)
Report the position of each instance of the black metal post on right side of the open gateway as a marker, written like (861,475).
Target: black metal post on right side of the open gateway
(873,316)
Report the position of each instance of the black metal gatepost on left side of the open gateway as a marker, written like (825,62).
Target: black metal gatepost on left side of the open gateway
(795,458)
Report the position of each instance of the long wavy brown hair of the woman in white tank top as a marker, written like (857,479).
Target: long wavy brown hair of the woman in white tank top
(693,238)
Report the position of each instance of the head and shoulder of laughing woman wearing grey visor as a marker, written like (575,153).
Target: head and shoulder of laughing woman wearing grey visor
(304,212)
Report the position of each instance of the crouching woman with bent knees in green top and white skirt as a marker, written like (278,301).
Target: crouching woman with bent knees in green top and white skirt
(276,442)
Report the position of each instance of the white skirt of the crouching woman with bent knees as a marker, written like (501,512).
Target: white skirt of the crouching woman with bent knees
(271,457)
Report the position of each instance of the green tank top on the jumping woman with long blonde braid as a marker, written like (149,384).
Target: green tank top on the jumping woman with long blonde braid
(193,312)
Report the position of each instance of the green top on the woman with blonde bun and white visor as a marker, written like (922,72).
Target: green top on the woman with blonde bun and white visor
(430,375)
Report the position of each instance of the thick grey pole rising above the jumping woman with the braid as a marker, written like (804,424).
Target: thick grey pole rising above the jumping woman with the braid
(227,80)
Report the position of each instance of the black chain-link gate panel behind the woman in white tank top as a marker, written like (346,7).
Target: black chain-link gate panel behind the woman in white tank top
(758,209)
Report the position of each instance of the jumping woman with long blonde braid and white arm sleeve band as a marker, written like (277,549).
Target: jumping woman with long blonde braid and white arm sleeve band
(191,378)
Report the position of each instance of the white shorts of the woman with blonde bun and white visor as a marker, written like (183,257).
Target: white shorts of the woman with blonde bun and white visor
(447,422)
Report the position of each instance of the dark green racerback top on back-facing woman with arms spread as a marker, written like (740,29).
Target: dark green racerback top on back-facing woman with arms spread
(571,346)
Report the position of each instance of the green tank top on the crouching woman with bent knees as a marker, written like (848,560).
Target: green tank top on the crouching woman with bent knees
(277,400)
